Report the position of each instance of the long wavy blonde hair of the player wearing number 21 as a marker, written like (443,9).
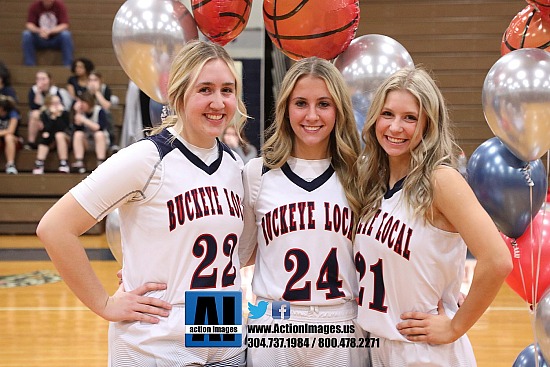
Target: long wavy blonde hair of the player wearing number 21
(437,146)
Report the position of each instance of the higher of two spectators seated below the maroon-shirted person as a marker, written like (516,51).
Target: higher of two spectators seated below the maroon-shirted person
(37,93)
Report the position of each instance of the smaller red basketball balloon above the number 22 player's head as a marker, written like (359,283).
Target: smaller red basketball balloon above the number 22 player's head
(221,21)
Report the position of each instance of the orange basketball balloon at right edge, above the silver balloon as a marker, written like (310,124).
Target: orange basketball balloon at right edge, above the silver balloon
(526,30)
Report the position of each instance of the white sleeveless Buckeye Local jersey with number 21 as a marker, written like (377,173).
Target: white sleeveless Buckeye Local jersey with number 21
(404,265)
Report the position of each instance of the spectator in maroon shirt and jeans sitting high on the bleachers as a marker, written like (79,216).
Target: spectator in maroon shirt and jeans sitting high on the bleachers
(47,28)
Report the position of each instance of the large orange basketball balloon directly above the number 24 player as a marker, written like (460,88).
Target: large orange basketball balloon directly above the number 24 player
(304,28)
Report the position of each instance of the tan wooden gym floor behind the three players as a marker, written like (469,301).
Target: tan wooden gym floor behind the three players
(46,326)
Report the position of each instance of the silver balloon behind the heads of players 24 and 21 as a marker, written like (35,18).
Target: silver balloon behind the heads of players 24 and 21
(365,64)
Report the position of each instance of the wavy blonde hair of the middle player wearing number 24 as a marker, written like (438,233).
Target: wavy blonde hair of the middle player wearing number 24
(344,142)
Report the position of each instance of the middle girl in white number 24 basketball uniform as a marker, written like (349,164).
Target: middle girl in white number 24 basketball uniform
(300,209)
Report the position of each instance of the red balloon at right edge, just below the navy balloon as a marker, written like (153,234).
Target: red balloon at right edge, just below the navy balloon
(523,277)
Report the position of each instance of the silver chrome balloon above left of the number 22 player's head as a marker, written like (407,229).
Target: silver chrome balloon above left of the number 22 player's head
(147,34)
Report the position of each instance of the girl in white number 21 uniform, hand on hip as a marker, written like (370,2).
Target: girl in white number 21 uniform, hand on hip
(419,218)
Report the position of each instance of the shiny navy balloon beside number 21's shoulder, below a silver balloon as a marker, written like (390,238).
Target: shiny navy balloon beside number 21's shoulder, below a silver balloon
(502,184)
